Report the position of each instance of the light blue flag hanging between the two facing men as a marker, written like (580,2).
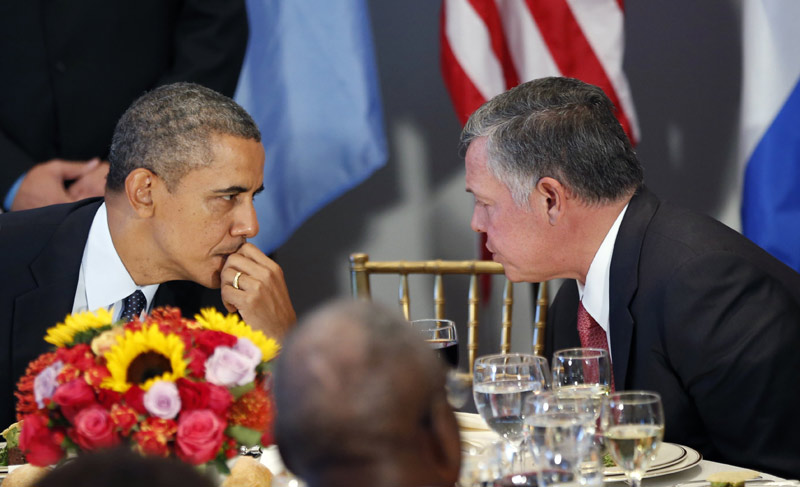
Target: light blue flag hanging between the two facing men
(310,82)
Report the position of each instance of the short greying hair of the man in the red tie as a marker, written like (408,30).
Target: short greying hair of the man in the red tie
(557,127)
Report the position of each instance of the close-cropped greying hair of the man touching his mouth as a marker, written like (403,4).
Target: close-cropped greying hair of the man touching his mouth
(169,131)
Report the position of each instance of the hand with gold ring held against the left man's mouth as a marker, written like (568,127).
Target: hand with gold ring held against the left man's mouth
(262,298)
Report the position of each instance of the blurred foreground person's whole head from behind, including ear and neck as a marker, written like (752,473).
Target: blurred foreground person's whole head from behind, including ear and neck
(361,401)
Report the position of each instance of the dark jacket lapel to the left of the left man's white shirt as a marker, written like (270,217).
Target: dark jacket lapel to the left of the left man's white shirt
(53,277)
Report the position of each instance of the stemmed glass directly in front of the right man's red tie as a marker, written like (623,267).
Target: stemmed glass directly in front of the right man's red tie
(584,372)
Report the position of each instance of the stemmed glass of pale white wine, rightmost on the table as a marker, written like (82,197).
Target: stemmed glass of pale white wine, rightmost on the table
(633,426)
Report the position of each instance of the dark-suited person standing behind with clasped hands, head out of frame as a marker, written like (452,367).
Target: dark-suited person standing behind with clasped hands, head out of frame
(72,68)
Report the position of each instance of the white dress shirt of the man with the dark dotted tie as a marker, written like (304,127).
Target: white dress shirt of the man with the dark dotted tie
(103,281)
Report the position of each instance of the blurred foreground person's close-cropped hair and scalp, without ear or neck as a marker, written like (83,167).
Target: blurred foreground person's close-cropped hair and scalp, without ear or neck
(352,382)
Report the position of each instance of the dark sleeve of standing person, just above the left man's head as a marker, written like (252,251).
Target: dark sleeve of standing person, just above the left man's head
(210,42)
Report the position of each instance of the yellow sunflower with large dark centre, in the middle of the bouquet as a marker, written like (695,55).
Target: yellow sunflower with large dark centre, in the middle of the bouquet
(142,357)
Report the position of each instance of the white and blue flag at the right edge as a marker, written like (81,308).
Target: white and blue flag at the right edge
(770,137)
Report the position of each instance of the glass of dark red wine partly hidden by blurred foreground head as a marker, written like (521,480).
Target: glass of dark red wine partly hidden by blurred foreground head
(441,335)
